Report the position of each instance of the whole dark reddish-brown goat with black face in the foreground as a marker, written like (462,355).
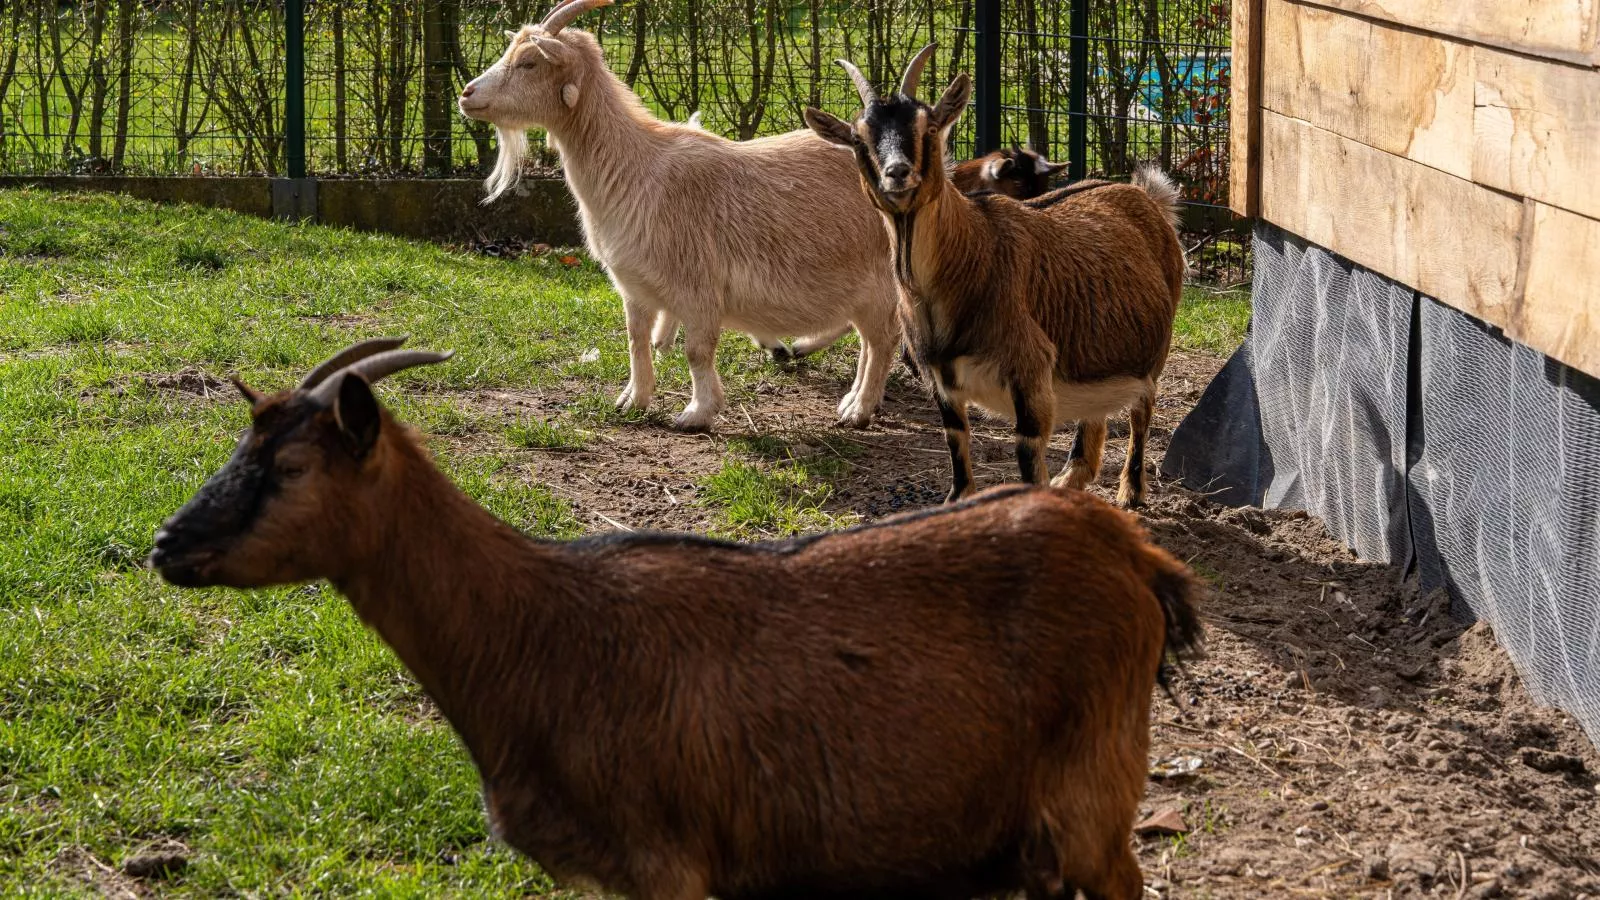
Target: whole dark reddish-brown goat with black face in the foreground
(948,704)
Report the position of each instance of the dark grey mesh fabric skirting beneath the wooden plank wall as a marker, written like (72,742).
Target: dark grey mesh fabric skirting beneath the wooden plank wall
(1422,436)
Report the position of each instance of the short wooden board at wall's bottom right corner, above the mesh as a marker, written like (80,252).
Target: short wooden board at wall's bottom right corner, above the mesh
(1559,313)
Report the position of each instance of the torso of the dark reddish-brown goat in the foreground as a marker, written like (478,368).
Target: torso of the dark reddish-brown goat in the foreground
(889,709)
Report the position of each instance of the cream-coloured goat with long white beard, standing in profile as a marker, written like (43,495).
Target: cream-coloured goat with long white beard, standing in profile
(695,228)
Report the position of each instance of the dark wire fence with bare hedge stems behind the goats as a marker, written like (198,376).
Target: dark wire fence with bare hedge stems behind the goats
(206,87)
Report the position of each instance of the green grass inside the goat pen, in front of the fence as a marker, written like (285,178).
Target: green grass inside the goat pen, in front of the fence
(270,731)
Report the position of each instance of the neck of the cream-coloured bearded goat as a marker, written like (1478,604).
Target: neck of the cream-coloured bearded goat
(607,143)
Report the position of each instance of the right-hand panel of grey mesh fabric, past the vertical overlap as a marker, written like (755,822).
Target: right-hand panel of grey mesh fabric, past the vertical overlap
(1506,500)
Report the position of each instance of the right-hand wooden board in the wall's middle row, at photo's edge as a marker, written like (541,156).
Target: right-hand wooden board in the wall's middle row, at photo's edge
(1538,131)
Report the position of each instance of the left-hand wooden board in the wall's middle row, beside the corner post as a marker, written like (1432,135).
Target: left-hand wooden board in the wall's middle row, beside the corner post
(1402,92)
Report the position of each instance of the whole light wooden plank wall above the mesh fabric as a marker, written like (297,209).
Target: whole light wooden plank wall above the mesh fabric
(1450,145)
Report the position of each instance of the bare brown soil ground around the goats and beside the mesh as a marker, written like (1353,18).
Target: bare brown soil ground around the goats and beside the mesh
(1345,737)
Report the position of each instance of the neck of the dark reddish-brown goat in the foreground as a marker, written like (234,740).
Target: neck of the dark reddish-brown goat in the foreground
(455,593)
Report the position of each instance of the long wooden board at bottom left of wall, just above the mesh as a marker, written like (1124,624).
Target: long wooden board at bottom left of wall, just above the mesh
(1444,236)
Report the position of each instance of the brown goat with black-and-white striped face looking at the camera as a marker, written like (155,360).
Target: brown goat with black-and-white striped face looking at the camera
(1055,310)
